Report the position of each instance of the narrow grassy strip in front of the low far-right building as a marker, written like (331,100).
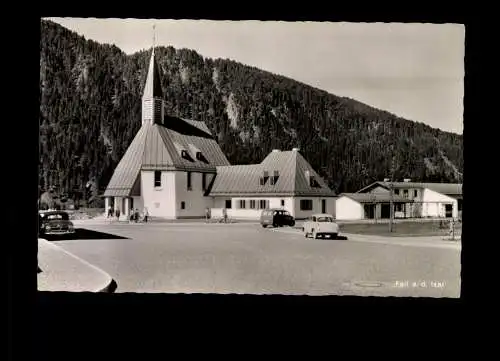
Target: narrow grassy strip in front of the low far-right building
(400,229)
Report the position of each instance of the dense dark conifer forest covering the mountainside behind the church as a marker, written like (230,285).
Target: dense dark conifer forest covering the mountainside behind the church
(90,104)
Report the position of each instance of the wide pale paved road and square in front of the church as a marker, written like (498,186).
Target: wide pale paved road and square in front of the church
(245,258)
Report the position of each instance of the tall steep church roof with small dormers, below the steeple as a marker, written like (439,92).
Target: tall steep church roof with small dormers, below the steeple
(154,148)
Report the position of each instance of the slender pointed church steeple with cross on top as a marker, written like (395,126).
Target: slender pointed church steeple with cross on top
(152,97)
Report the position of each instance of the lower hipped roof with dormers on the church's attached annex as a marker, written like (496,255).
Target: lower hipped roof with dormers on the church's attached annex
(291,181)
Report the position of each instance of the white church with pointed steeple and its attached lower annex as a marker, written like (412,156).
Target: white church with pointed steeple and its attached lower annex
(175,169)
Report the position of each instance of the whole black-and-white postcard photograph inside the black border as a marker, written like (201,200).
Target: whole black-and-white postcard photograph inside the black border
(250,157)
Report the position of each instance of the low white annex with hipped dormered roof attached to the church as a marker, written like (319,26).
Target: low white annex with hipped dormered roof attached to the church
(284,179)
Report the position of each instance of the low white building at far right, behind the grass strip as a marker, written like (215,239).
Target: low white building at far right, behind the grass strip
(411,200)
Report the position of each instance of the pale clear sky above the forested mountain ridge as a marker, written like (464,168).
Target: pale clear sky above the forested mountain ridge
(415,71)
